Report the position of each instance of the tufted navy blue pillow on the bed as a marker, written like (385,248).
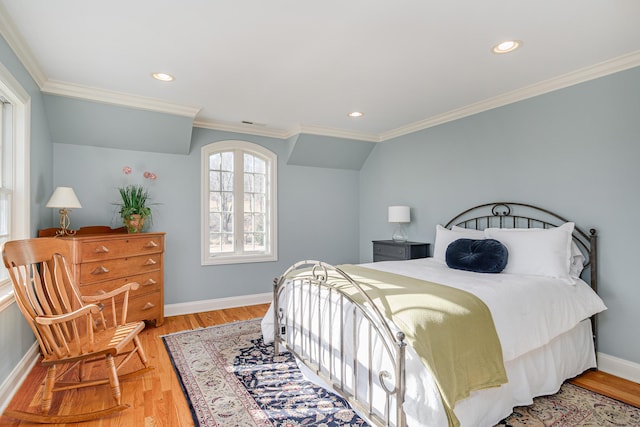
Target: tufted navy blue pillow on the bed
(480,256)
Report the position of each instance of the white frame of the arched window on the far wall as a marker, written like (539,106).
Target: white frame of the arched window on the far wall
(271,228)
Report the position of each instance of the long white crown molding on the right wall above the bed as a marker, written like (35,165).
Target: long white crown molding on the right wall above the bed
(601,69)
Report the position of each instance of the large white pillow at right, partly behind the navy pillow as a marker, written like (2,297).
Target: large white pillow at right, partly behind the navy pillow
(536,251)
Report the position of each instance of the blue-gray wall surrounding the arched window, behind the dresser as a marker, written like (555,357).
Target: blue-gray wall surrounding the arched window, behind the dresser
(314,204)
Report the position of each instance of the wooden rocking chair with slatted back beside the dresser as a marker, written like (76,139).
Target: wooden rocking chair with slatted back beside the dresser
(71,329)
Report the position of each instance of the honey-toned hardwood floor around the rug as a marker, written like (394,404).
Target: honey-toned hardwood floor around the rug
(156,399)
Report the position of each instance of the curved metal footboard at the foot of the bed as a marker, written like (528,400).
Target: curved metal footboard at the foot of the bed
(348,345)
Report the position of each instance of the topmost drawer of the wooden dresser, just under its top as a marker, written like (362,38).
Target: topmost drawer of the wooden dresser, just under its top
(95,250)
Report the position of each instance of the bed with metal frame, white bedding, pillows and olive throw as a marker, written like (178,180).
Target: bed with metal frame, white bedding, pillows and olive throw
(502,330)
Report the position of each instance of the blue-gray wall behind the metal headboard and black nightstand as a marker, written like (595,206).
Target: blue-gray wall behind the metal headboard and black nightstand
(574,151)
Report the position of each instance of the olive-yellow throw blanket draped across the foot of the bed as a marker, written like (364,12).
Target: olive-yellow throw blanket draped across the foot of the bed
(451,330)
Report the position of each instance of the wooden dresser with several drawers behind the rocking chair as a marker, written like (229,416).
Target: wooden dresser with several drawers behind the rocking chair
(103,262)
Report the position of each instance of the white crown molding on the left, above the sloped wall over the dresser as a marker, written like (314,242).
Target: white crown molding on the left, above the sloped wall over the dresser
(70,90)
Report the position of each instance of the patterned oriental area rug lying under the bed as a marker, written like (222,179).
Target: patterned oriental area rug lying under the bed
(231,378)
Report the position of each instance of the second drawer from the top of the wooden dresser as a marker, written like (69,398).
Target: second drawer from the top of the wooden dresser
(97,271)
